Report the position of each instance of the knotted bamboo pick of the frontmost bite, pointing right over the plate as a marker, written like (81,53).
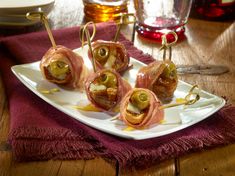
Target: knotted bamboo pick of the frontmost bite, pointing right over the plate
(191,98)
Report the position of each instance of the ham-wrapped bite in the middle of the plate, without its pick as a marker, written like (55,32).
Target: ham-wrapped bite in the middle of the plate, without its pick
(105,89)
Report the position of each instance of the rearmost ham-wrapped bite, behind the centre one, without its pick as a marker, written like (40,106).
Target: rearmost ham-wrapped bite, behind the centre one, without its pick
(108,54)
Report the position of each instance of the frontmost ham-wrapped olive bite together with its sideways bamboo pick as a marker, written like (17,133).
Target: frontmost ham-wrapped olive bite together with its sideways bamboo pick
(140,108)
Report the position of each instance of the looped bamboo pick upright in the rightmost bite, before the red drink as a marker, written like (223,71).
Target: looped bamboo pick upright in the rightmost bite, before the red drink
(166,45)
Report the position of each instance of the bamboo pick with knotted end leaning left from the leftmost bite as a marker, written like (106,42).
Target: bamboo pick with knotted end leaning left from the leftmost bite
(40,16)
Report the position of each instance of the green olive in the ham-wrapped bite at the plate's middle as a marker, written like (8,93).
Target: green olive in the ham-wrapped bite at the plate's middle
(108,79)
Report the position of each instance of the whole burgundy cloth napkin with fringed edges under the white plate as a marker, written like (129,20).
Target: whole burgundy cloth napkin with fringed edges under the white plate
(38,131)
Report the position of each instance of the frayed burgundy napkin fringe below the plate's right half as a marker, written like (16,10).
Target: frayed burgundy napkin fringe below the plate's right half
(181,145)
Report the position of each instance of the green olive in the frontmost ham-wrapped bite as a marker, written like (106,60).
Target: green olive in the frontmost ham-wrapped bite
(140,99)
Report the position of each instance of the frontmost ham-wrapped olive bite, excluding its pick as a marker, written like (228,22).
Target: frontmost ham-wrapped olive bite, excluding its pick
(140,108)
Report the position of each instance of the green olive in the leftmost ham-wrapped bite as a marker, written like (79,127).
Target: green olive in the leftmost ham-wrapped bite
(58,68)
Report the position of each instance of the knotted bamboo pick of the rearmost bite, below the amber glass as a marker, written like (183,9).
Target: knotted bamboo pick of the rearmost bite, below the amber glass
(125,19)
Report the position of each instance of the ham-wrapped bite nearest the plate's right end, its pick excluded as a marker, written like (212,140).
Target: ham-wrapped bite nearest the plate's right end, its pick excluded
(159,77)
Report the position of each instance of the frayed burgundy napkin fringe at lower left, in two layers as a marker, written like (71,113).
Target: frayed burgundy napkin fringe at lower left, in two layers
(68,144)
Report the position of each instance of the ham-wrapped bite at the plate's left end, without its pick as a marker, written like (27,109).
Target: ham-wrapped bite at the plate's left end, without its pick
(62,66)
